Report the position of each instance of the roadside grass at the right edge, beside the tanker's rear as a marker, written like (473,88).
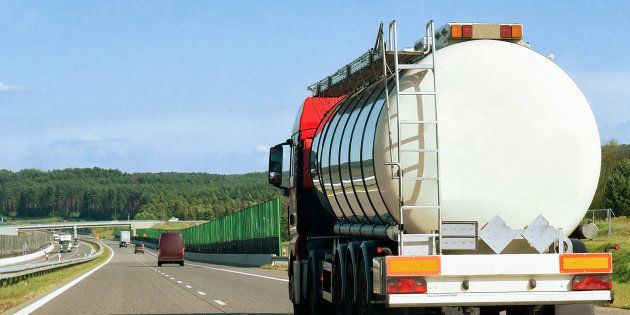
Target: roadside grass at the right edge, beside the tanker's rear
(621,259)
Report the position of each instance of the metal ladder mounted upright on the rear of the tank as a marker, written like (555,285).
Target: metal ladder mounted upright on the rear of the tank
(434,239)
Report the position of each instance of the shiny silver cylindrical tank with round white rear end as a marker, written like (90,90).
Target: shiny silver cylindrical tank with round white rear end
(517,139)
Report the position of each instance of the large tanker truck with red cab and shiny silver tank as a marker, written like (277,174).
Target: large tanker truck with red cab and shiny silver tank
(445,178)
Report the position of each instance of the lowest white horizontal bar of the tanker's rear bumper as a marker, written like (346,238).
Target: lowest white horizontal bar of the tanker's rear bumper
(496,298)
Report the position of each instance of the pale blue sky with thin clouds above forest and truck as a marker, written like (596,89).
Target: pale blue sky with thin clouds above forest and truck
(208,86)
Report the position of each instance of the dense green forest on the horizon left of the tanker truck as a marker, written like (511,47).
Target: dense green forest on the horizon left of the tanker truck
(96,193)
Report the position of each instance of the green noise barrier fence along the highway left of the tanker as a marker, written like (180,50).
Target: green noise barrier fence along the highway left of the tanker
(253,230)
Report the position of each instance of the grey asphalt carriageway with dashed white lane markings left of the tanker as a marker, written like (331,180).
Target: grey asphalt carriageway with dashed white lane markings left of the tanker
(132,283)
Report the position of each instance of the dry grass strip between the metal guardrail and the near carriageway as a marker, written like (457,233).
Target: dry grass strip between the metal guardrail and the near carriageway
(37,286)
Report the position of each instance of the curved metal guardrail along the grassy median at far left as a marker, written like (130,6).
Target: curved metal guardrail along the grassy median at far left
(13,274)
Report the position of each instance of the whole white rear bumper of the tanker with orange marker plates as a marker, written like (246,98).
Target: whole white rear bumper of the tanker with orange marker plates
(483,280)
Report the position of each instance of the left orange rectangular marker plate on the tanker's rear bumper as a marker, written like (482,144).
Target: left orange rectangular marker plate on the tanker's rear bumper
(413,265)
